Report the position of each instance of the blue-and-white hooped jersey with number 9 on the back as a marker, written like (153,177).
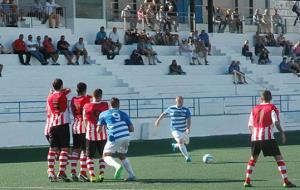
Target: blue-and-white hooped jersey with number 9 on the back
(117,123)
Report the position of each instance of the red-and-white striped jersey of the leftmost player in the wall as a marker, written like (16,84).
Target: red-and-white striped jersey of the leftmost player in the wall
(57,103)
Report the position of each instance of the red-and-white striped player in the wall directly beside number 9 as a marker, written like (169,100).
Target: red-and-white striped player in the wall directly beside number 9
(95,137)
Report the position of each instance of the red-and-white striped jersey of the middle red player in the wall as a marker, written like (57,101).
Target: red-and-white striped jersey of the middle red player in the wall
(77,104)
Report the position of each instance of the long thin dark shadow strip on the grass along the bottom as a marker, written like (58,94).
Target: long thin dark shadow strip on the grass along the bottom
(192,180)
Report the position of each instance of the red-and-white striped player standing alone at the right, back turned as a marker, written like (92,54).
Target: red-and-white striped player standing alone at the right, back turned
(262,120)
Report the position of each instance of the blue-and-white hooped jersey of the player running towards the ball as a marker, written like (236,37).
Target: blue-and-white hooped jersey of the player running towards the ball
(178,117)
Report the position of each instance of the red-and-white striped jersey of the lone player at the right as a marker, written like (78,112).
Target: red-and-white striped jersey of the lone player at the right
(262,119)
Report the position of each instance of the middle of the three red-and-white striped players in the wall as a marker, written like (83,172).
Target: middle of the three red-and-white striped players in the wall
(78,131)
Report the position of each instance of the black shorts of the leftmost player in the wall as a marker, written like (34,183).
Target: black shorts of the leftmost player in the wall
(59,136)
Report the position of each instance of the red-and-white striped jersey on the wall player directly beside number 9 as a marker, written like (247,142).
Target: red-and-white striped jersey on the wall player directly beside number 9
(91,112)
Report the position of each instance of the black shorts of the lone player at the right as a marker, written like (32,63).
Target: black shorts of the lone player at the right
(268,147)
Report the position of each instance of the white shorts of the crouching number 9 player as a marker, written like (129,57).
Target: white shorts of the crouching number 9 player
(117,147)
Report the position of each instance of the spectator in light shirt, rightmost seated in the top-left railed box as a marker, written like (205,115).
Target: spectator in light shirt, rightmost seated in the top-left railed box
(53,17)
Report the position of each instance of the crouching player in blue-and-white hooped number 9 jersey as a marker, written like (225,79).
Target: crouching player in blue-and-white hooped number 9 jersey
(119,126)
